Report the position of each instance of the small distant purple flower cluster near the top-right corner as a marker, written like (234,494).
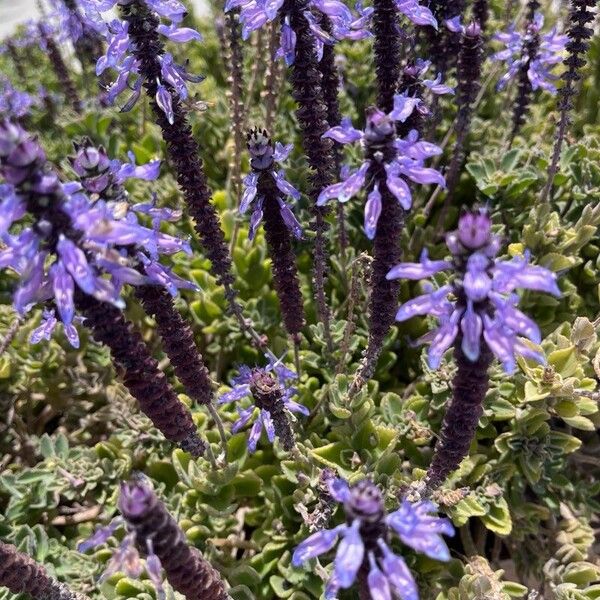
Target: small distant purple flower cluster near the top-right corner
(548,56)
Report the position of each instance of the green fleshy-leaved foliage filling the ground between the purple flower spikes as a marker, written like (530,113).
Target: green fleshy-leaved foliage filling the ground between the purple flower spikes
(526,502)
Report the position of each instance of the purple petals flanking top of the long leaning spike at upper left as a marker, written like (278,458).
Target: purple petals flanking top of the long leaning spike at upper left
(173,77)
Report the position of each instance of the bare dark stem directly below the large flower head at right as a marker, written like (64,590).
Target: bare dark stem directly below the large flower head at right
(469,388)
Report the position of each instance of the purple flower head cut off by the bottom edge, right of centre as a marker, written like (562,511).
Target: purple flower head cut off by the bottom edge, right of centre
(363,554)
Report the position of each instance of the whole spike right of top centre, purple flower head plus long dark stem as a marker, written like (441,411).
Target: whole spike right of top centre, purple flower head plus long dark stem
(390,163)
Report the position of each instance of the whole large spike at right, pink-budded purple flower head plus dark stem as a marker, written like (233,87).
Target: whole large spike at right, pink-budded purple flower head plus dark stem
(478,317)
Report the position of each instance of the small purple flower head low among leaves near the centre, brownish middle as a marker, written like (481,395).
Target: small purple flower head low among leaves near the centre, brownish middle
(271,395)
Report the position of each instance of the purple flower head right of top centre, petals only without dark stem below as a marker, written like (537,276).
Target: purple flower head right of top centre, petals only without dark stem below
(401,160)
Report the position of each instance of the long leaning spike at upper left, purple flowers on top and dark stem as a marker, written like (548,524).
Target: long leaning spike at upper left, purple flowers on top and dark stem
(136,51)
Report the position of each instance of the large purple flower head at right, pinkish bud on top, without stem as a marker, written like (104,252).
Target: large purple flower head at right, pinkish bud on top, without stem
(478,303)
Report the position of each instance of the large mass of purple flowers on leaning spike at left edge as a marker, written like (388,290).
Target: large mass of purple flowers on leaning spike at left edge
(73,241)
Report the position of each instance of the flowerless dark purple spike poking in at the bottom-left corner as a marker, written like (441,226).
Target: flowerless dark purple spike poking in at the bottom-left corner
(21,574)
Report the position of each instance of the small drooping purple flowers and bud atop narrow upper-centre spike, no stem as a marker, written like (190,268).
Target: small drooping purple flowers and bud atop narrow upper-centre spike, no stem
(263,156)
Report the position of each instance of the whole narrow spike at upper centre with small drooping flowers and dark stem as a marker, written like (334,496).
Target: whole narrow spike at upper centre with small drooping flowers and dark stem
(267,193)
